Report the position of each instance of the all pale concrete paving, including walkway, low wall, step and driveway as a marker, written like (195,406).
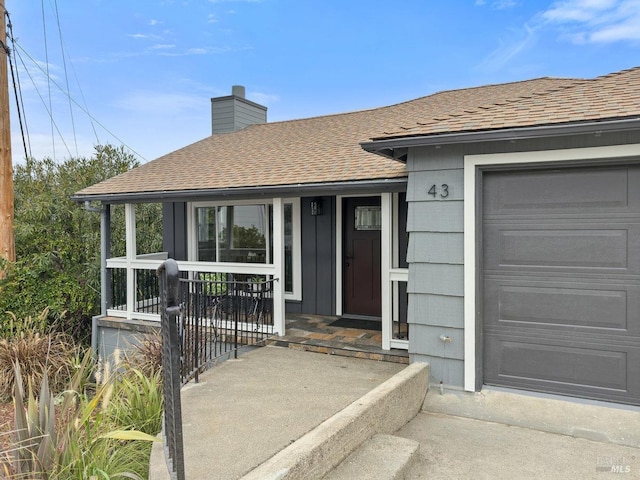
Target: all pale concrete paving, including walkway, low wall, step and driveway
(278,413)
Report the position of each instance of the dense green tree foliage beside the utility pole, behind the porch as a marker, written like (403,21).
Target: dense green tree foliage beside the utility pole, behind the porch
(58,242)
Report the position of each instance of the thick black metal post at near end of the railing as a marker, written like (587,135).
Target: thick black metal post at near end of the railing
(170,312)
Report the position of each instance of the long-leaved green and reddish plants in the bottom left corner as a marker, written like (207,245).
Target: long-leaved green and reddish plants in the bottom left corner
(87,440)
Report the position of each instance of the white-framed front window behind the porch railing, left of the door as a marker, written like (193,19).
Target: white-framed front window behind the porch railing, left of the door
(241,232)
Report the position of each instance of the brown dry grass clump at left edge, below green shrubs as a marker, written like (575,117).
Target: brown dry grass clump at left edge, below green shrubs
(36,352)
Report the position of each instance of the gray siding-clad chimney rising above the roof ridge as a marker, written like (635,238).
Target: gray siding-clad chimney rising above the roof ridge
(234,112)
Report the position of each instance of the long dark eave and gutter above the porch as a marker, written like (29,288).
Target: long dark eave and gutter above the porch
(303,189)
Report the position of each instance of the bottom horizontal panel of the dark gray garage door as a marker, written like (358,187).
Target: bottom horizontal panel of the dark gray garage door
(594,370)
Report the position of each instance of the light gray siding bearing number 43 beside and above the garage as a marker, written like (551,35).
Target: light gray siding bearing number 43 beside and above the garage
(435,254)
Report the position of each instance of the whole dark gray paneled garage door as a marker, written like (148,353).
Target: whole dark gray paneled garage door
(561,281)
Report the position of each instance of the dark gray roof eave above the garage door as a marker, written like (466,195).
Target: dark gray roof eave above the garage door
(396,148)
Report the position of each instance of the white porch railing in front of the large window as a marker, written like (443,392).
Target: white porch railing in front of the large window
(135,289)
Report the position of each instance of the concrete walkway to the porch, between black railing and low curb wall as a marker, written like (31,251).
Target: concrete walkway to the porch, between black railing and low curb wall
(245,411)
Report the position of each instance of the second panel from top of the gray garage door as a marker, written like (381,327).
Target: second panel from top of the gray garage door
(535,247)
